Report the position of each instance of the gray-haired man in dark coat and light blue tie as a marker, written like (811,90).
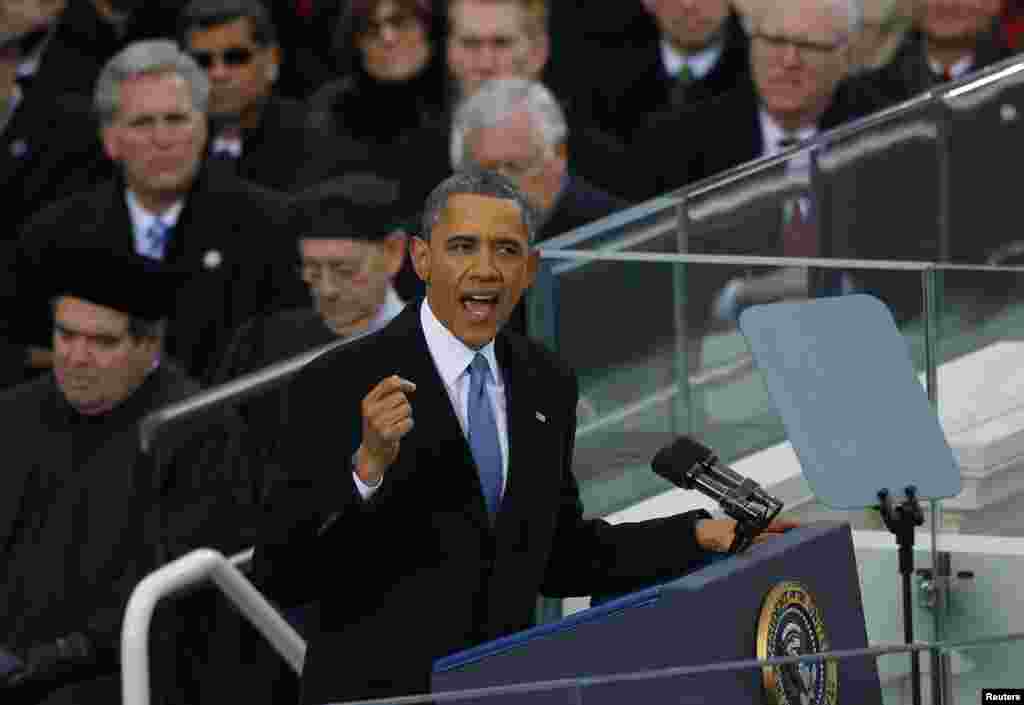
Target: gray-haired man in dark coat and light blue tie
(167,204)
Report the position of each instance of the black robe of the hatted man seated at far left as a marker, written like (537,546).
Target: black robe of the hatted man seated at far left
(143,511)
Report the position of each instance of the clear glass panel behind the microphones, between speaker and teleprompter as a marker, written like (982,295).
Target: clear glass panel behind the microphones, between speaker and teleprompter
(648,375)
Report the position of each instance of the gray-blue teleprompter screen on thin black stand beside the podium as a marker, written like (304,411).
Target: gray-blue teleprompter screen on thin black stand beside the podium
(840,376)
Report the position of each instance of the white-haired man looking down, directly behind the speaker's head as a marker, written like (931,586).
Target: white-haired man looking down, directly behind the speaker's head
(518,129)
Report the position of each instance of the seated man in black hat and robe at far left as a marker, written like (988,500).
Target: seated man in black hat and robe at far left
(84,515)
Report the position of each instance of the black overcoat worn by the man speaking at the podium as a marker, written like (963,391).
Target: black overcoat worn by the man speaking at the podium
(418,571)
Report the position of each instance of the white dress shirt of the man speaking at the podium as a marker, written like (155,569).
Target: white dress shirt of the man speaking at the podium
(452,358)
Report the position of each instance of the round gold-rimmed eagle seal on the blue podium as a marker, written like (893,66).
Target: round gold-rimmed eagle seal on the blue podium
(791,625)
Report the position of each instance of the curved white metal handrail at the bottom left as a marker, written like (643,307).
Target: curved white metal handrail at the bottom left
(189,570)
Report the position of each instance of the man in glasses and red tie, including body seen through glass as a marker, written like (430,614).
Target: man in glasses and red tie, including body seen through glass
(800,87)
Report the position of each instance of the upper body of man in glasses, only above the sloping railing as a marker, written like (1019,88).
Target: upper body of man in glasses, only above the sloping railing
(800,61)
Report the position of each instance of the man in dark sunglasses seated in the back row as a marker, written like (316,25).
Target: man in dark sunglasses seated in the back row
(264,138)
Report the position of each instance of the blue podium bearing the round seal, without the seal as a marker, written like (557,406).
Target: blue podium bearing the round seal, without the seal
(708,617)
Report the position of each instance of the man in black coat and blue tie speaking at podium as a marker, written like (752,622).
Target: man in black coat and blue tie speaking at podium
(431,494)
